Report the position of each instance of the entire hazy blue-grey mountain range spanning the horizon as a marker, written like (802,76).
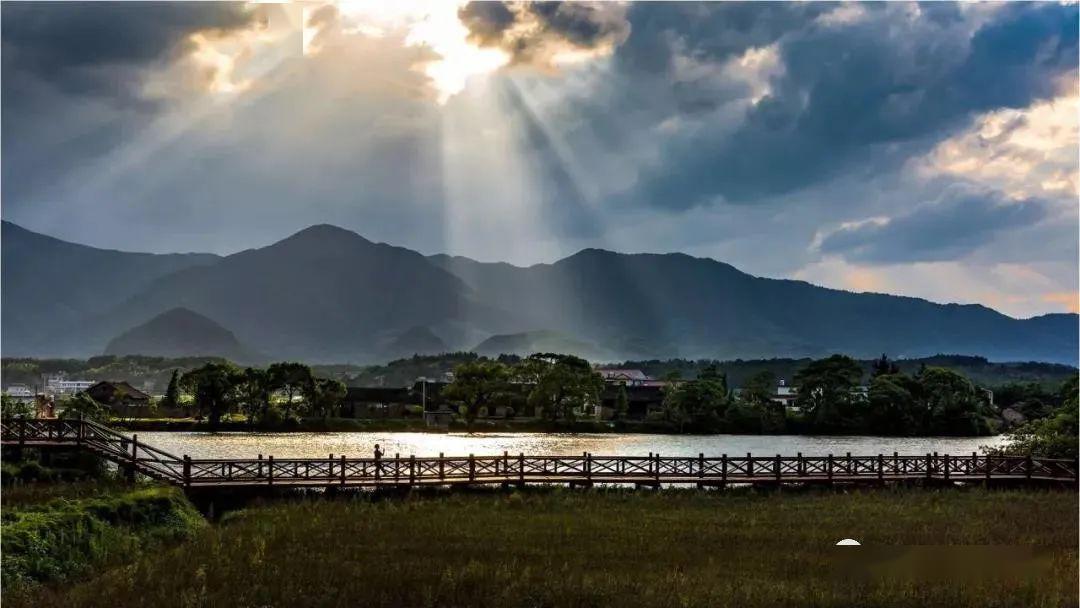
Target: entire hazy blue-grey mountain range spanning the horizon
(327,294)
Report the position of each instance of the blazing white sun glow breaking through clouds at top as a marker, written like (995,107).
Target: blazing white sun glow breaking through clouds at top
(434,24)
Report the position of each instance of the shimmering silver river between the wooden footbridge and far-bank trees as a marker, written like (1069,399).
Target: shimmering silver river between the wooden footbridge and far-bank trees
(361,445)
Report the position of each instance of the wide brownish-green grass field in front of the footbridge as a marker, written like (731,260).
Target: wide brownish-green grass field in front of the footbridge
(563,548)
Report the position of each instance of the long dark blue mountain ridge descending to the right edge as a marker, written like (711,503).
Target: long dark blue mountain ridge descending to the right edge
(680,306)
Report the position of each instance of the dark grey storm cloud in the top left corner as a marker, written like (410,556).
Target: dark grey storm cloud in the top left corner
(73,74)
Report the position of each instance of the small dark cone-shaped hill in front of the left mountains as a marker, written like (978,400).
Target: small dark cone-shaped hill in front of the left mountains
(180,333)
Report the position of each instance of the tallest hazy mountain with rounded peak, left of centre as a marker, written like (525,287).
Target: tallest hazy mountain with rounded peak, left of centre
(323,294)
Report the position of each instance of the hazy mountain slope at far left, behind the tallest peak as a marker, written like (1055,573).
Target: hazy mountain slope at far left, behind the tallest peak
(48,283)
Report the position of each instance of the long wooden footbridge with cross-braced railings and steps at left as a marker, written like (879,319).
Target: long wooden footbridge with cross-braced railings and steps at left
(138,458)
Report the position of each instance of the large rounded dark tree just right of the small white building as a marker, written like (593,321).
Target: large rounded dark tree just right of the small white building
(827,394)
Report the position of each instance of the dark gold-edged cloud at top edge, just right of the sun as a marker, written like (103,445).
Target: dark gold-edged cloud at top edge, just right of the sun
(529,31)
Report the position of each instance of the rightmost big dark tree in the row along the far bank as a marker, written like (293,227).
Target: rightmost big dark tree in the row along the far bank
(952,403)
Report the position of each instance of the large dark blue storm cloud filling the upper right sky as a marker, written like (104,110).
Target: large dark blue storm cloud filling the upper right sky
(849,94)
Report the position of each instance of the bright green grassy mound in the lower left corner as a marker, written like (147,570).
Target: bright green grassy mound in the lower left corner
(56,533)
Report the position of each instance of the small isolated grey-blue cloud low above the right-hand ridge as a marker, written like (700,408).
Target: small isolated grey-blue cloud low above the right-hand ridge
(956,225)
